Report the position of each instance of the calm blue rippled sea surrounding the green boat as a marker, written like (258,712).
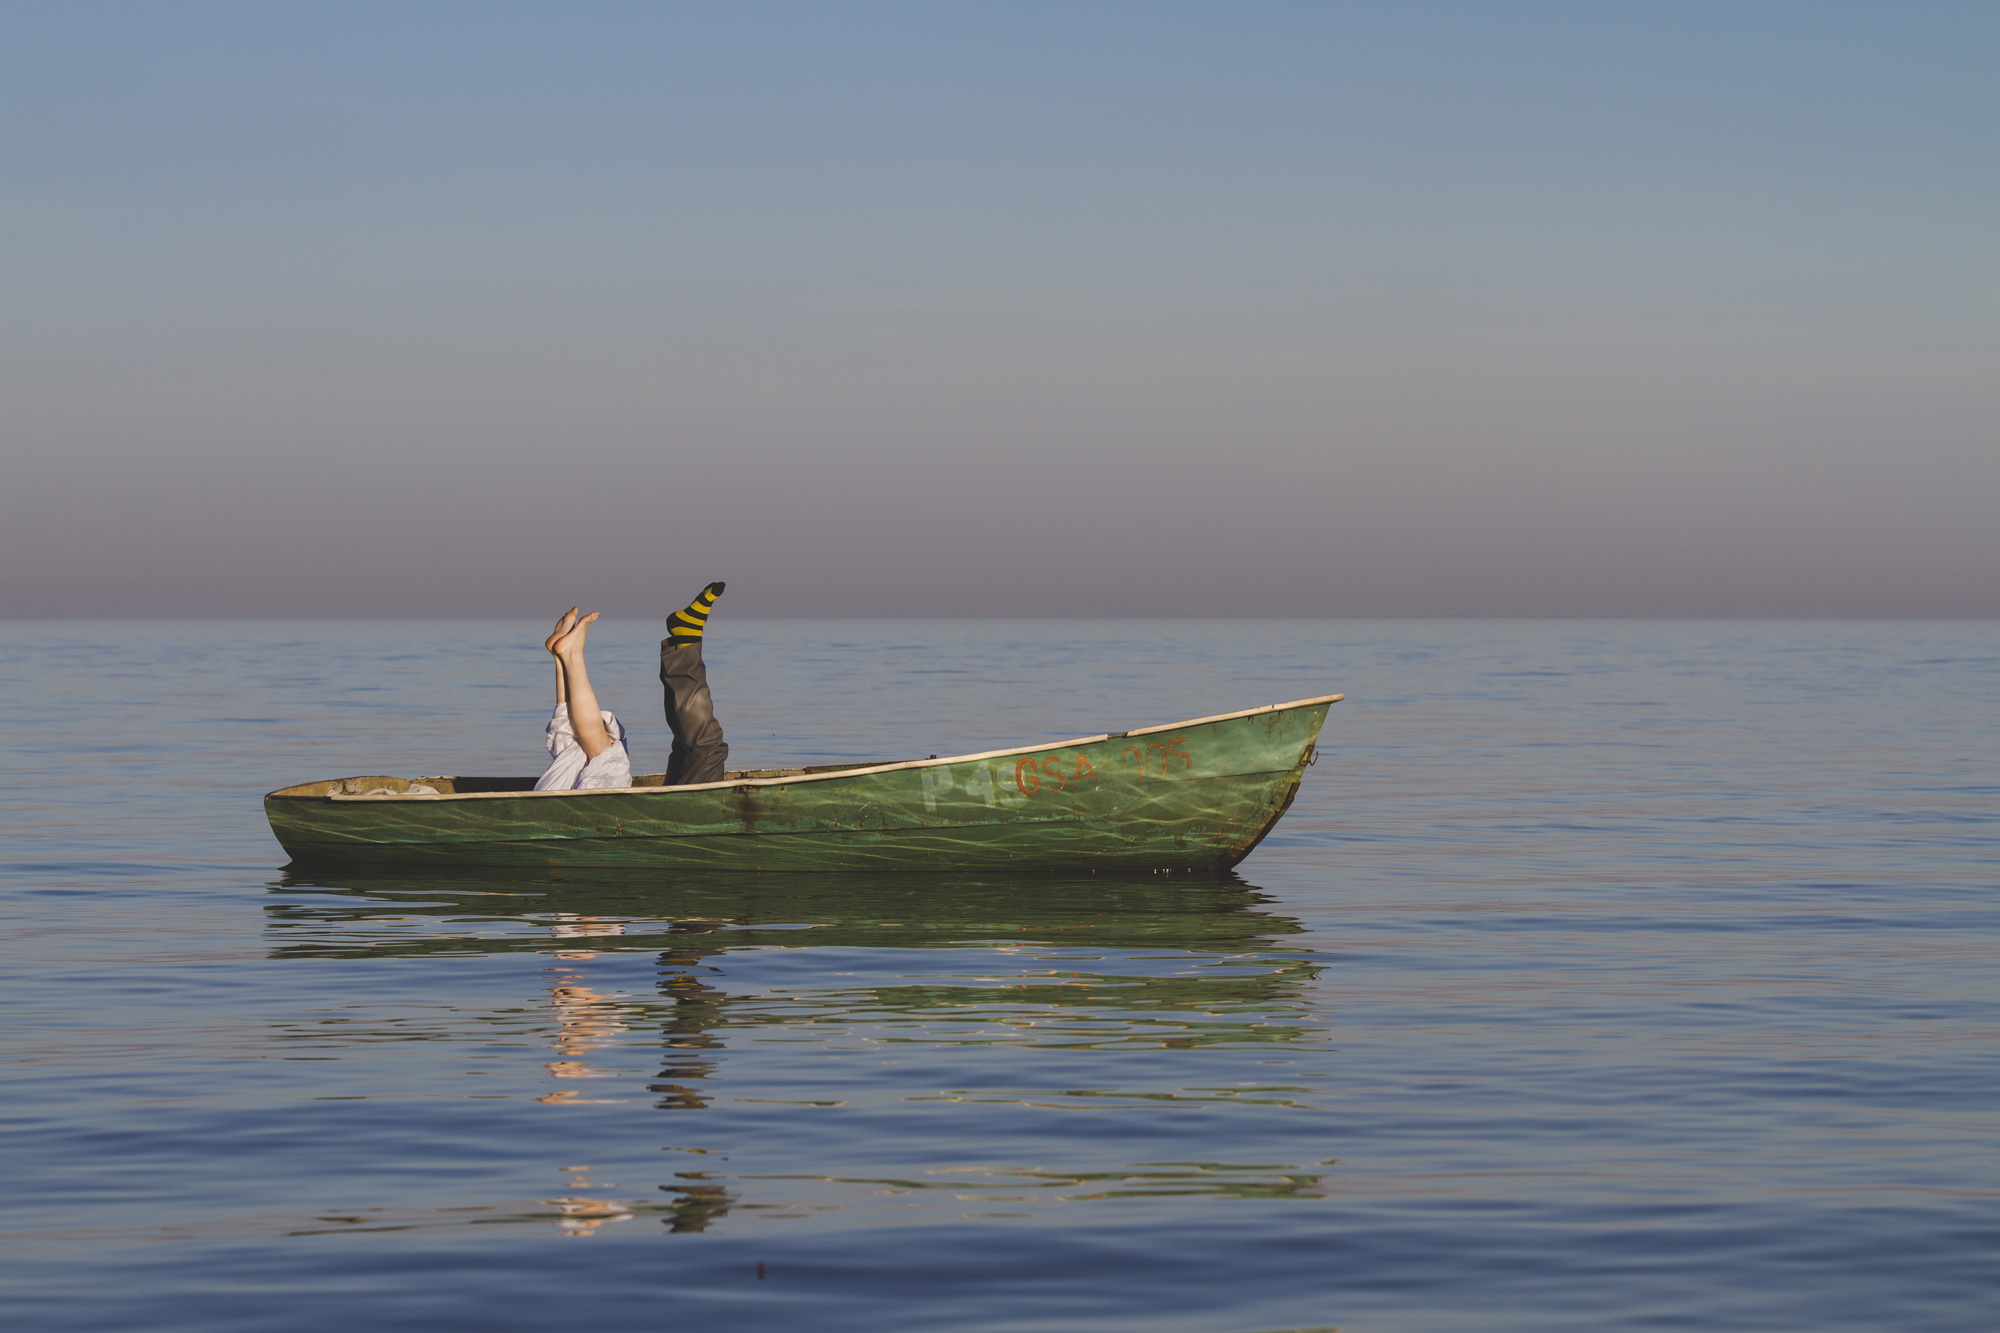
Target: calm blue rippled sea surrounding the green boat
(1605,976)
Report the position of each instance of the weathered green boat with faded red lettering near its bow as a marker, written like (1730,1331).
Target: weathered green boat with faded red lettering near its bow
(1197,796)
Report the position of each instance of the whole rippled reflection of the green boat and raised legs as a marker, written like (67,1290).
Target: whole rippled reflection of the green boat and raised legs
(701,998)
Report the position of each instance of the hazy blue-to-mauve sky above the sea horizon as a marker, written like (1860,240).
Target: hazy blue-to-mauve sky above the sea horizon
(1001,309)
